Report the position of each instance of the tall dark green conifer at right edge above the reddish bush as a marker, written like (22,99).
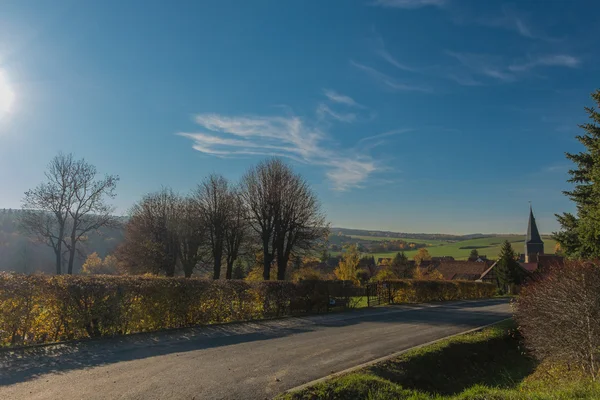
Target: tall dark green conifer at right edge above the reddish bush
(580,234)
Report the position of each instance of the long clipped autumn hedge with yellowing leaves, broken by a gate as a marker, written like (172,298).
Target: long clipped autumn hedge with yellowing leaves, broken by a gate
(44,309)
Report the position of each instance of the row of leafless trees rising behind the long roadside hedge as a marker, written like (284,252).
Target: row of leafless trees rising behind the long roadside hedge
(271,213)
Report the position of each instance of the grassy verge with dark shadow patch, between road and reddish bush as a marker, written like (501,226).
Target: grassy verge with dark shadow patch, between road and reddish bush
(483,365)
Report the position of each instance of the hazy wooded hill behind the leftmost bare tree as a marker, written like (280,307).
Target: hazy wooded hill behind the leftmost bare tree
(22,253)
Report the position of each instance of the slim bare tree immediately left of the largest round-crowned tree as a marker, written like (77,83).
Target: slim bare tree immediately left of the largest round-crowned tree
(235,231)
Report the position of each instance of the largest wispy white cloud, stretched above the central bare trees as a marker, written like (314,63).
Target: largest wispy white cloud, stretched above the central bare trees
(291,137)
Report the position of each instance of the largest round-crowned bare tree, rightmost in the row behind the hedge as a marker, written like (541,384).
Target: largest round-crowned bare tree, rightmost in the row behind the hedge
(283,211)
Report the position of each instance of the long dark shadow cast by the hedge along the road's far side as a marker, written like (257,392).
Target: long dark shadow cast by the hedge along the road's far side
(24,365)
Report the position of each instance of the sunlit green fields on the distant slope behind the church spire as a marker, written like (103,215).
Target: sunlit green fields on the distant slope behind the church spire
(460,250)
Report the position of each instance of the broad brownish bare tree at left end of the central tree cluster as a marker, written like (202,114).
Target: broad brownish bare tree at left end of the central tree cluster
(152,242)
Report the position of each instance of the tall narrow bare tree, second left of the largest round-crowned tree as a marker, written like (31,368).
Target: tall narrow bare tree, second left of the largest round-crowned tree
(213,200)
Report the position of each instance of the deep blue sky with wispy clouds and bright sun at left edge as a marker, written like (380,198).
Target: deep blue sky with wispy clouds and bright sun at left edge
(405,115)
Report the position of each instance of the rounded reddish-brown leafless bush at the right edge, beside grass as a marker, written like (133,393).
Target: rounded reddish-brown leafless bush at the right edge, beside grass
(559,315)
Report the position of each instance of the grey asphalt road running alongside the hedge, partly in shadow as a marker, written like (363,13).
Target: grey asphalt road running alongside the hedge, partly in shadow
(235,361)
